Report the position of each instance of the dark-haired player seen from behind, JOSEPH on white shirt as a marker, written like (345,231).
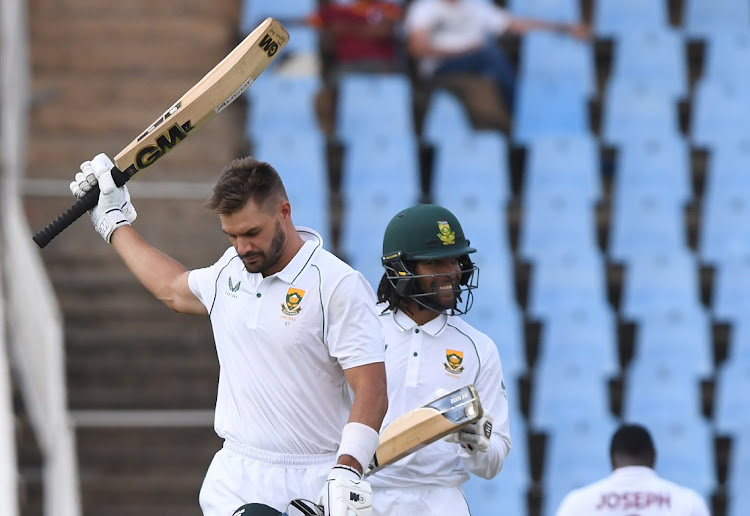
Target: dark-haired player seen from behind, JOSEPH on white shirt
(633,485)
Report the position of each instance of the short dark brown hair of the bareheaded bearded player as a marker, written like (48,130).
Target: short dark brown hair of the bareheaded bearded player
(244,179)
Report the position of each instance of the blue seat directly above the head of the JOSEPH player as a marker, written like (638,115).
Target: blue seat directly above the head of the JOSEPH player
(660,391)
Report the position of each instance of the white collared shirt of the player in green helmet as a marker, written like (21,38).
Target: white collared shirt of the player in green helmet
(445,353)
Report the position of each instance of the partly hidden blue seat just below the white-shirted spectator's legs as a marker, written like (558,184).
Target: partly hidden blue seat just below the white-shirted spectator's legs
(446,118)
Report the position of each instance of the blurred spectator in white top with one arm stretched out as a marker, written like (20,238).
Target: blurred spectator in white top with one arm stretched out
(461,36)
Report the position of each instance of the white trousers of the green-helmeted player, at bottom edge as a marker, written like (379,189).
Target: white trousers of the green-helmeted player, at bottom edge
(419,501)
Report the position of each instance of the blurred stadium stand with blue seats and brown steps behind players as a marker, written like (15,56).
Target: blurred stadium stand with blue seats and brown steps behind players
(612,225)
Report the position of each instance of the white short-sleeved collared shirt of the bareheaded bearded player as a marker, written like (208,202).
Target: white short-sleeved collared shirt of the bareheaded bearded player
(283,343)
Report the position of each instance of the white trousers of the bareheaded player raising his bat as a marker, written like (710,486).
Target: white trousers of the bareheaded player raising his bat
(239,475)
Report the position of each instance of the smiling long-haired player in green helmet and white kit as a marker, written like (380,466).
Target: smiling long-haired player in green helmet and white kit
(428,282)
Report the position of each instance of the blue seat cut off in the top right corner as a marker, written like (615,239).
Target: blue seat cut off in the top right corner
(702,19)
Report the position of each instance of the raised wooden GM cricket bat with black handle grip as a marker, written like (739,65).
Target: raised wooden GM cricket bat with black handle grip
(207,98)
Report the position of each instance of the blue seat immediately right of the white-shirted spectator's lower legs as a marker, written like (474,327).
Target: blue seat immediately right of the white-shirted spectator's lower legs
(545,106)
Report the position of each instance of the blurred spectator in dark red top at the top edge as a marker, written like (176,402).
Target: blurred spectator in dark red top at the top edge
(362,34)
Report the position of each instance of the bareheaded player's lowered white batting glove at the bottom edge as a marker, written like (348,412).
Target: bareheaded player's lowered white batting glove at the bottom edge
(345,493)
